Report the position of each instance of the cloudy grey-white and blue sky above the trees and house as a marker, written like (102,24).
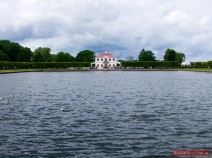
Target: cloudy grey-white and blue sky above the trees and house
(122,27)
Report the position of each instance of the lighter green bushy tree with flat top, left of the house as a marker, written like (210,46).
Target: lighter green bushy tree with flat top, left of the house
(42,55)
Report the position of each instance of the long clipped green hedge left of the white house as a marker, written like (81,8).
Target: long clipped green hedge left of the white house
(42,65)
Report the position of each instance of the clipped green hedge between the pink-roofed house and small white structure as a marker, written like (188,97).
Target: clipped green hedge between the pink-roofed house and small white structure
(148,64)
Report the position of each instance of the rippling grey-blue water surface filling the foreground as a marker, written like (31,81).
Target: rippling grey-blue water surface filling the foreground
(104,114)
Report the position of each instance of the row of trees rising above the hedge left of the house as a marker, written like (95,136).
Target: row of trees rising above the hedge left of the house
(10,51)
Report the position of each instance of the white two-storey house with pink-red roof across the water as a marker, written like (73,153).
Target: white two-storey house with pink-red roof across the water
(105,61)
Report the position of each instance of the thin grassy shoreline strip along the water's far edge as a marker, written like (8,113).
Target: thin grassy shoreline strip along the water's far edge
(78,70)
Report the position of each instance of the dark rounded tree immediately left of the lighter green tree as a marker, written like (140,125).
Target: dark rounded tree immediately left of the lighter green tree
(25,55)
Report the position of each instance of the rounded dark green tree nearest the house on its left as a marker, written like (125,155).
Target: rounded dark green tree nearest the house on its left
(85,56)
